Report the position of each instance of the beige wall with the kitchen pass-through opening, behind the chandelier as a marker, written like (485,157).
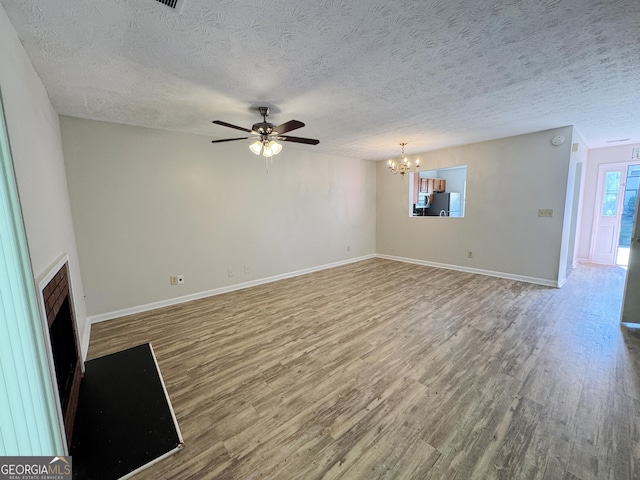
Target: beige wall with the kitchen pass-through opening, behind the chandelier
(508,180)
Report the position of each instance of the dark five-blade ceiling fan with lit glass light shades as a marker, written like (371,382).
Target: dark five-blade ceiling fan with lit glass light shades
(266,134)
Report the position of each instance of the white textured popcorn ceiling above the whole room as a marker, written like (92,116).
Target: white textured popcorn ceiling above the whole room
(364,75)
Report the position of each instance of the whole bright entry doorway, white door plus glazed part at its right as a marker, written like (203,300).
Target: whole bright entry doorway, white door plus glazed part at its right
(616,197)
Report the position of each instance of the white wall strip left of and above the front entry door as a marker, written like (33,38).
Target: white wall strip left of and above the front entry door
(595,158)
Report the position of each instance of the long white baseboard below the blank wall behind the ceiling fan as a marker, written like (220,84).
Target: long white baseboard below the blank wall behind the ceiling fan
(217,291)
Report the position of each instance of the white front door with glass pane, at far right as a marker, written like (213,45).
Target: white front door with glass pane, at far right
(610,208)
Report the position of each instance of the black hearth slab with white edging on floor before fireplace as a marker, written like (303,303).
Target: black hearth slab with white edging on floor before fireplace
(124,419)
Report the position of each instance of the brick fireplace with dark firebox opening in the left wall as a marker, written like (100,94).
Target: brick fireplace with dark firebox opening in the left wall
(61,323)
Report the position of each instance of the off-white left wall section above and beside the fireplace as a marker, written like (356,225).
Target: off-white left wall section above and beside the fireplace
(38,160)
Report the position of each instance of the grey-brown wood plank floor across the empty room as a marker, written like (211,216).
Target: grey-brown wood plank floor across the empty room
(383,369)
